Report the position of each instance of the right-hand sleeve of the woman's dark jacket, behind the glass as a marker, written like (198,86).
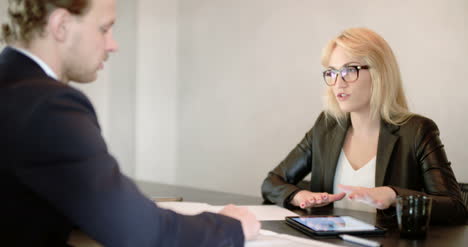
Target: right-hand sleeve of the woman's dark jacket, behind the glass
(439,180)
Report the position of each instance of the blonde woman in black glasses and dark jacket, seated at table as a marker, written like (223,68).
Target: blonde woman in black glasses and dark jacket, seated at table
(366,147)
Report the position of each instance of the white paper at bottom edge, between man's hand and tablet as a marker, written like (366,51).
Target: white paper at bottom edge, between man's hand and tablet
(272,239)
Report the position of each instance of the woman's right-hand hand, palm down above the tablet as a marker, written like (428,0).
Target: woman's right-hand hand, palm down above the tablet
(379,197)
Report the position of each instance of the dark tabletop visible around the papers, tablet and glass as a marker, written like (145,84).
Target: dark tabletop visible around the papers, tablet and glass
(438,235)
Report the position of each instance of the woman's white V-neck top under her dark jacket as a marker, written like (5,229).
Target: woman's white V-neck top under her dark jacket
(346,175)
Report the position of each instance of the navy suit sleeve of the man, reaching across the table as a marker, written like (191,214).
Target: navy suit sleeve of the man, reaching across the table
(66,162)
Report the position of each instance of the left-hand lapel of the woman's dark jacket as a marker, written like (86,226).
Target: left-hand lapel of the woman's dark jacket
(334,145)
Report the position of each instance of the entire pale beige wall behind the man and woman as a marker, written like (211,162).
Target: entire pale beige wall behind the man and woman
(214,93)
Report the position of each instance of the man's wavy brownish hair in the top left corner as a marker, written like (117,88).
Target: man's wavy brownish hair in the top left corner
(27,18)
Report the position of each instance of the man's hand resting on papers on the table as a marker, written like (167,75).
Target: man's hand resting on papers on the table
(250,224)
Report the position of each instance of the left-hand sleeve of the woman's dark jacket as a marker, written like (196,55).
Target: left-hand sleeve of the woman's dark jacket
(280,185)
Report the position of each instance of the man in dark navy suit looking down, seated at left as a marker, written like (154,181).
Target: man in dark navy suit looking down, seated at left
(55,169)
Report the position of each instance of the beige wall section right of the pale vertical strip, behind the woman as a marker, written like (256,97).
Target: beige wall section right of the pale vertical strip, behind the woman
(250,78)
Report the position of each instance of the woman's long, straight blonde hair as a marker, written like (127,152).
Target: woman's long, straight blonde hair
(388,99)
